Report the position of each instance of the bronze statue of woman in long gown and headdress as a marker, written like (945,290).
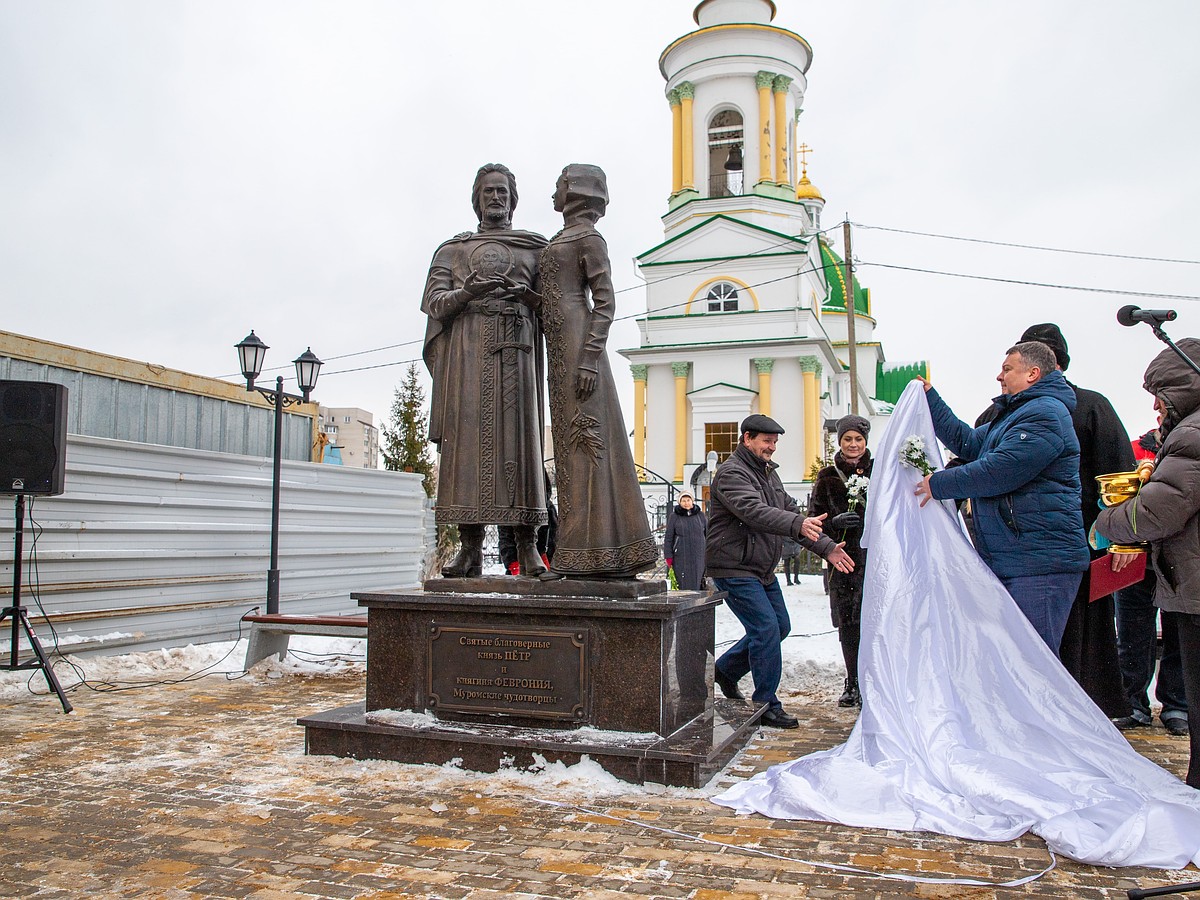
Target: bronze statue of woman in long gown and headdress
(603,531)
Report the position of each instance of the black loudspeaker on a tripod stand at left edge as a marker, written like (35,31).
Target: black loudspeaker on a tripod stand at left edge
(33,437)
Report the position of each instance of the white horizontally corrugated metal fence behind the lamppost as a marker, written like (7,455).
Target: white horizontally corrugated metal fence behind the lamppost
(157,547)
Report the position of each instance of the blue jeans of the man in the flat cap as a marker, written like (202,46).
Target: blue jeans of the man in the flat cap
(760,609)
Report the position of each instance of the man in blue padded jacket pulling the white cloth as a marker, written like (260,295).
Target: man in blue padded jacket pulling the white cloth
(1022,475)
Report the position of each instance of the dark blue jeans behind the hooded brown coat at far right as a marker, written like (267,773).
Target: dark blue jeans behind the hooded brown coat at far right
(1137,638)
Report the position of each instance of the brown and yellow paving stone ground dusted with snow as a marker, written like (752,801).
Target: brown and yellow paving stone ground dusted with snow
(202,790)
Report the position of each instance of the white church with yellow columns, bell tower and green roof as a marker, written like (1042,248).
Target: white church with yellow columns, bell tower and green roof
(746,298)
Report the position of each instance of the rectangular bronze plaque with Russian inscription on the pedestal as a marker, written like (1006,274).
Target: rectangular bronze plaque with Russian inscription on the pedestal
(531,673)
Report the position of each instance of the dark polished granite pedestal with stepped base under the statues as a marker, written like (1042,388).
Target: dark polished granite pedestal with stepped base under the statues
(501,671)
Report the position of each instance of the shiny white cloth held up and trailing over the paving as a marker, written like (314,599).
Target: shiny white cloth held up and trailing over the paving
(970,725)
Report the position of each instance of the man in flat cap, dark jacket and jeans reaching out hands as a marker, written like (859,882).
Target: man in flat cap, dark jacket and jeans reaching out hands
(751,517)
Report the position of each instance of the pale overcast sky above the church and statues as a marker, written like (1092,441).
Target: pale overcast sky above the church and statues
(175,175)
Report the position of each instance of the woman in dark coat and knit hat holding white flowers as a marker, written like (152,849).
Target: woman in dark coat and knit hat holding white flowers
(832,497)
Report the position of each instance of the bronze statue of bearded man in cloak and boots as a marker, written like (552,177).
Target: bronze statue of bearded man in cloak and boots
(483,347)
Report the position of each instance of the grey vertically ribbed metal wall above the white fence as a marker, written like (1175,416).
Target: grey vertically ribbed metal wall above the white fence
(111,407)
